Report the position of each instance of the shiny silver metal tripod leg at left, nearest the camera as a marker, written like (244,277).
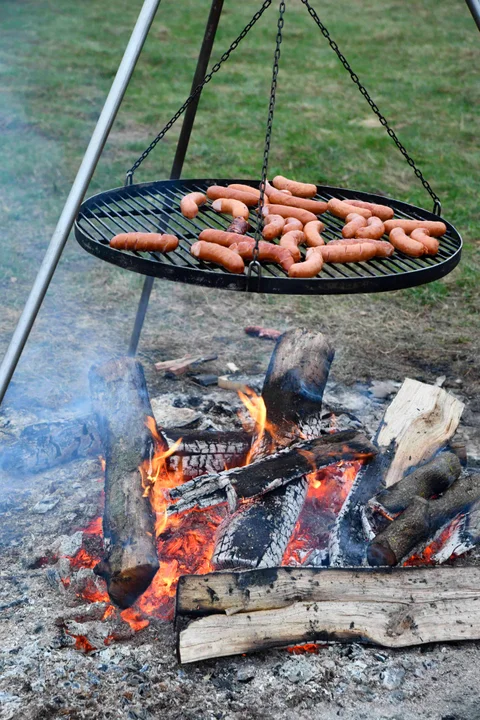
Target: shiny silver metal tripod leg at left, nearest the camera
(79,187)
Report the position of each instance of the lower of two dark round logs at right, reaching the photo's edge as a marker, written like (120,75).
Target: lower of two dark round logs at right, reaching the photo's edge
(421,520)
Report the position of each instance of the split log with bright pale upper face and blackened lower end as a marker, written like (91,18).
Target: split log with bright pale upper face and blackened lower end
(417,424)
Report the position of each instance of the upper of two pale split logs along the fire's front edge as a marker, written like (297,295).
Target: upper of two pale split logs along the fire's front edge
(266,589)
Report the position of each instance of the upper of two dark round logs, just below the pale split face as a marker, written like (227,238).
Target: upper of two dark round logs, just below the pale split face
(430,479)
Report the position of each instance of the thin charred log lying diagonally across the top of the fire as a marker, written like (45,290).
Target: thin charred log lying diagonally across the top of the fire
(278,469)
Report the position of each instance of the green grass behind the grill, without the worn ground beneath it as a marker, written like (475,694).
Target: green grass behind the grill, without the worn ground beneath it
(418,59)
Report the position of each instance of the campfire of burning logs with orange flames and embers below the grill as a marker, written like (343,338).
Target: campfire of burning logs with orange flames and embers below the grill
(248,537)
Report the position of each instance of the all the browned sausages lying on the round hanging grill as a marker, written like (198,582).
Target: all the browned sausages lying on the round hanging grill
(291,219)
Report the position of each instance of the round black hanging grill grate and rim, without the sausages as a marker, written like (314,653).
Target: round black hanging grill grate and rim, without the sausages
(354,277)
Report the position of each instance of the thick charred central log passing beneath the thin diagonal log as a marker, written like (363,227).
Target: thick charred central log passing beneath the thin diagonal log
(258,533)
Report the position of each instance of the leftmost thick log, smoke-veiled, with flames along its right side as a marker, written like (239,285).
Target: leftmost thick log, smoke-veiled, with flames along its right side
(122,407)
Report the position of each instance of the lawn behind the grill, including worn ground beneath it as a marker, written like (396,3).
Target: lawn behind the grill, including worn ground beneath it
(419,60)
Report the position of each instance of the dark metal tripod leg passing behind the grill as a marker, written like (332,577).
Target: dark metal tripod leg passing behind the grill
(189,119)
